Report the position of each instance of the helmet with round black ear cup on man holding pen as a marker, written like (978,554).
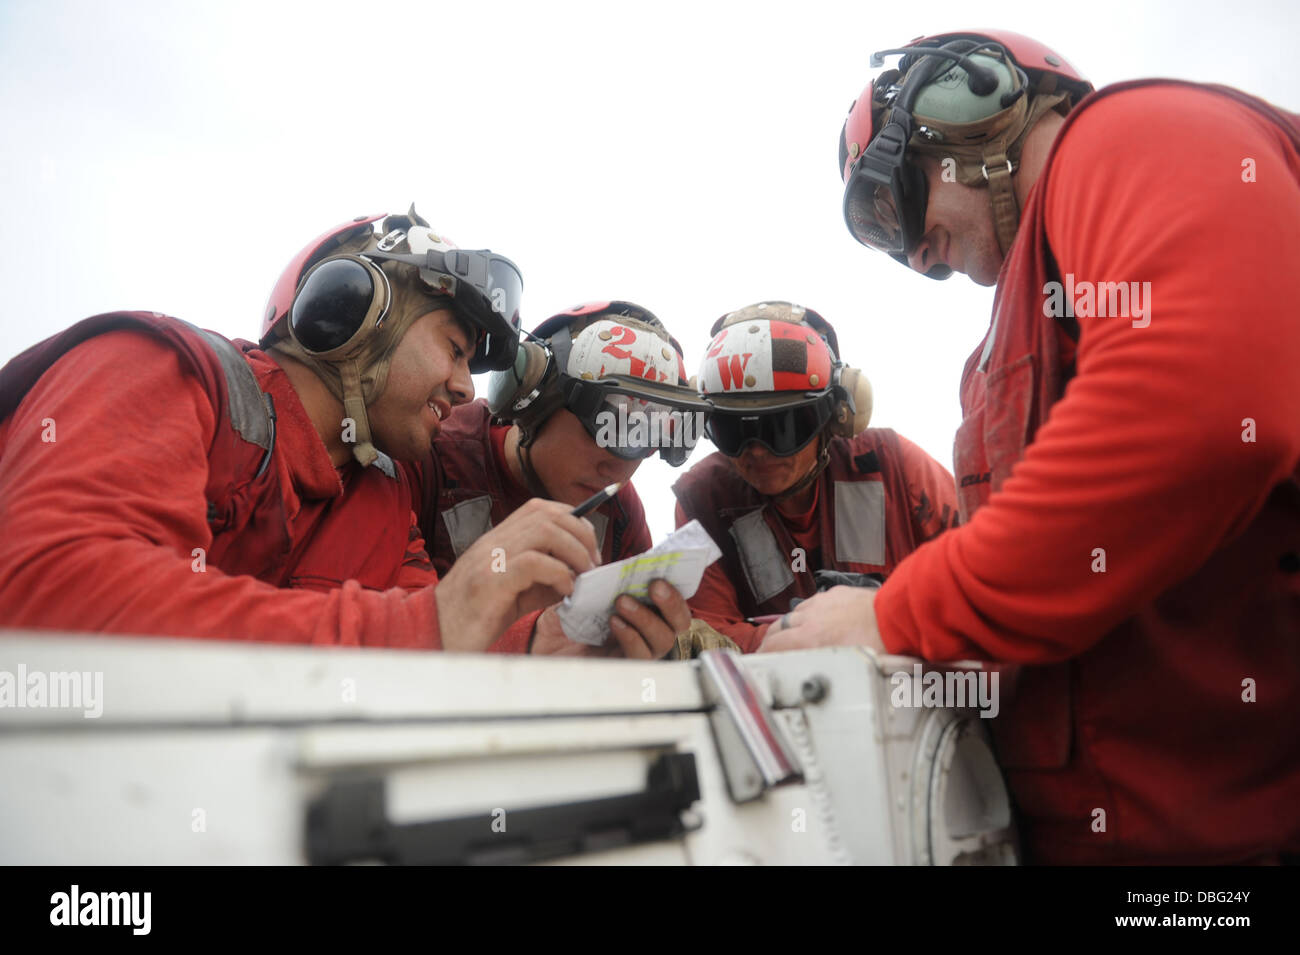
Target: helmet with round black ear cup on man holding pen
(345,302)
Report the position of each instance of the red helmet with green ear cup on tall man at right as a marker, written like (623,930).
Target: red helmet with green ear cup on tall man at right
(968,98)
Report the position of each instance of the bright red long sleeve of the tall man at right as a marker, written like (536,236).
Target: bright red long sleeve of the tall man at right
(1145,455)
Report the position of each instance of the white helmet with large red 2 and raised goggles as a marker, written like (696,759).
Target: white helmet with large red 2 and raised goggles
(601,361)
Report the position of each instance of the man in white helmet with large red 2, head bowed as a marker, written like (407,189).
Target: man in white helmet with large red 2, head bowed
(540,436)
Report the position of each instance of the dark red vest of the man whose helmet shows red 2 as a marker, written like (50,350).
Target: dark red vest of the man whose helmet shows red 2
(469,493)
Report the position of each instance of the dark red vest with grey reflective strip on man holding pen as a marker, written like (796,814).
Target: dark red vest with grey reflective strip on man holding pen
(363,536)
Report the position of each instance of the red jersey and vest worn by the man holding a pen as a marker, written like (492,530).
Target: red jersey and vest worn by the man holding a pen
(109,466)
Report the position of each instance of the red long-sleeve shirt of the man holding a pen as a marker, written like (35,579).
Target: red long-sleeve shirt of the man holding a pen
(101,524)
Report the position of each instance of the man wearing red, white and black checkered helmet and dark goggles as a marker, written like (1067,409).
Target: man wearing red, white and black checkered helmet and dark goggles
(800,484)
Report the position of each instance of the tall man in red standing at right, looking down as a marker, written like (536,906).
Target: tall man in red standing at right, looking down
(1129,459)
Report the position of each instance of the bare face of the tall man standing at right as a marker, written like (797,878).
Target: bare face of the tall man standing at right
(959,229)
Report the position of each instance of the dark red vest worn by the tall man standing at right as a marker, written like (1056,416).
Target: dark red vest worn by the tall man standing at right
(1072,735)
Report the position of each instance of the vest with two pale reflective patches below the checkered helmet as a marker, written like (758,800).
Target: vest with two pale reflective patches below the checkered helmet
(865,522)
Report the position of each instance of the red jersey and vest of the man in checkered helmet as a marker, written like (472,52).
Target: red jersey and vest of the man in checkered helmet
(879,498)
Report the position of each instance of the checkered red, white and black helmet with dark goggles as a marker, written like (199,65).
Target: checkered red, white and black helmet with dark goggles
(773,376)
